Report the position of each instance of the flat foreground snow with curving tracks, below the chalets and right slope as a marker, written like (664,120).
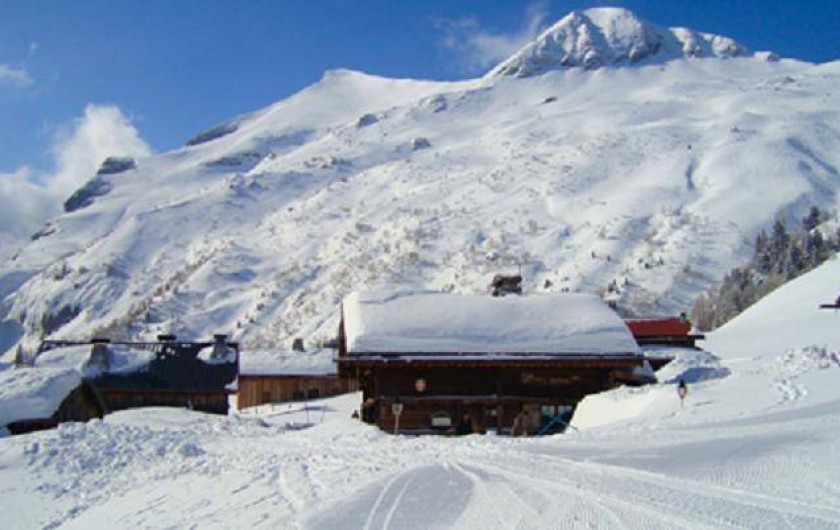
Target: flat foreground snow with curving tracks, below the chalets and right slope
(178,469)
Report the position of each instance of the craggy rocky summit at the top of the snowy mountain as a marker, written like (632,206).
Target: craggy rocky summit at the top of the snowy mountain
(607,36)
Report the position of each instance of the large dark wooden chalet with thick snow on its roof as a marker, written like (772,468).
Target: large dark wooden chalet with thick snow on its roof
(440,356)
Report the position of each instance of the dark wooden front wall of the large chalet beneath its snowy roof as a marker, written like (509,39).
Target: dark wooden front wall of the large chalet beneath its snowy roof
(437,393)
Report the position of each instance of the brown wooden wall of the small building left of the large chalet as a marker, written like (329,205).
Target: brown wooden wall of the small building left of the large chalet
(257,389)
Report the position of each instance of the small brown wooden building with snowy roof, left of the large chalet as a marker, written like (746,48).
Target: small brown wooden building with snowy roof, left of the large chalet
(280,376)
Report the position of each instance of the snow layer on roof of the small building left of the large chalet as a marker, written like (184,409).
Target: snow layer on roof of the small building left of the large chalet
(262,362)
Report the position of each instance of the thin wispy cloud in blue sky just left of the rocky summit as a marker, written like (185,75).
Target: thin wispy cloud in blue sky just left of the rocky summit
(479,49)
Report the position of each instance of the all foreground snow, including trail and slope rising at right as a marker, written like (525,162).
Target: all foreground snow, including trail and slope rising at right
(742,452)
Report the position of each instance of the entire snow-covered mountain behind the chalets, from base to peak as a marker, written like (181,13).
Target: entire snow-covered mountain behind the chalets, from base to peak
(645,180)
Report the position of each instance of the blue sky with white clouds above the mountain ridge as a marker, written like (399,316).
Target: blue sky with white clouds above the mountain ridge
(165,70)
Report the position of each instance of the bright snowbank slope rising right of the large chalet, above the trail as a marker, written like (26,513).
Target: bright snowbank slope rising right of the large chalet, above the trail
(777,355)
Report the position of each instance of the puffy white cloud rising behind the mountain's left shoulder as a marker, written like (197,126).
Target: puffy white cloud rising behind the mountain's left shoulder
(101,132)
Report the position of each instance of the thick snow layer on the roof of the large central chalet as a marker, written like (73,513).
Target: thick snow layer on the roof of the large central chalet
(440,323)
